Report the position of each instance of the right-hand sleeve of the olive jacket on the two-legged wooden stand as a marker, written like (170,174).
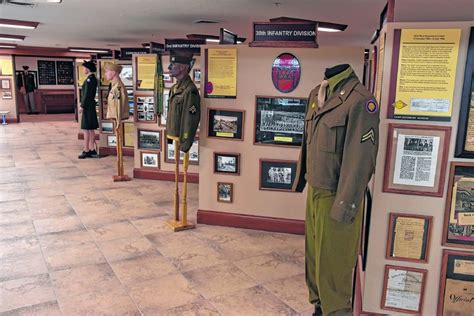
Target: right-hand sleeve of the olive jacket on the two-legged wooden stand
(190,119)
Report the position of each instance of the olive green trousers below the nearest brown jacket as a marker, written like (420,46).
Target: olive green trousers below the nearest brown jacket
(331,254)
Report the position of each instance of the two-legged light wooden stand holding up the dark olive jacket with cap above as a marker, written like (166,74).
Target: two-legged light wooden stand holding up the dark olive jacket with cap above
(175,223)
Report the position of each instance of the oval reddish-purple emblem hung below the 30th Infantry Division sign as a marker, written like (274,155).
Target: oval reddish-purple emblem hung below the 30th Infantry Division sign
(286,72)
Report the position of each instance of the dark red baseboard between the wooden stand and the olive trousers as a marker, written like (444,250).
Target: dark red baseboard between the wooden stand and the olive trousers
(272,224)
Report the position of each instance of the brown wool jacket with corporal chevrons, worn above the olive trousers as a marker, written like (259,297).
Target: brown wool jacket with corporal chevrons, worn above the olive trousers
(340,146)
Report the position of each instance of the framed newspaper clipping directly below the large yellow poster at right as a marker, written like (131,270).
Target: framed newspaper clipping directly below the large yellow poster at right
(416,159)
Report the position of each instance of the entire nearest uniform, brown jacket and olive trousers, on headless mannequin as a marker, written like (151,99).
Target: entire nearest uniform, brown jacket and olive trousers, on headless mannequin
(337,160)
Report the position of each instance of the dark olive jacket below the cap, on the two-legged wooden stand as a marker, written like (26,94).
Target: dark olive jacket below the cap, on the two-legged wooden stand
(184,113)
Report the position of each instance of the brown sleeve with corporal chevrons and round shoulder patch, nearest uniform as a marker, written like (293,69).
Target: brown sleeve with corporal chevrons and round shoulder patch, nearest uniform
(358,161)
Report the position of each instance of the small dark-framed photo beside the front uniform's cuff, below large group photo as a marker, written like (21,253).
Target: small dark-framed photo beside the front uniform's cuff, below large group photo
(277,175)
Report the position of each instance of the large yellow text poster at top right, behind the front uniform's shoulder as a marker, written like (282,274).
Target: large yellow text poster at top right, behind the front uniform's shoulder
(426,73)
